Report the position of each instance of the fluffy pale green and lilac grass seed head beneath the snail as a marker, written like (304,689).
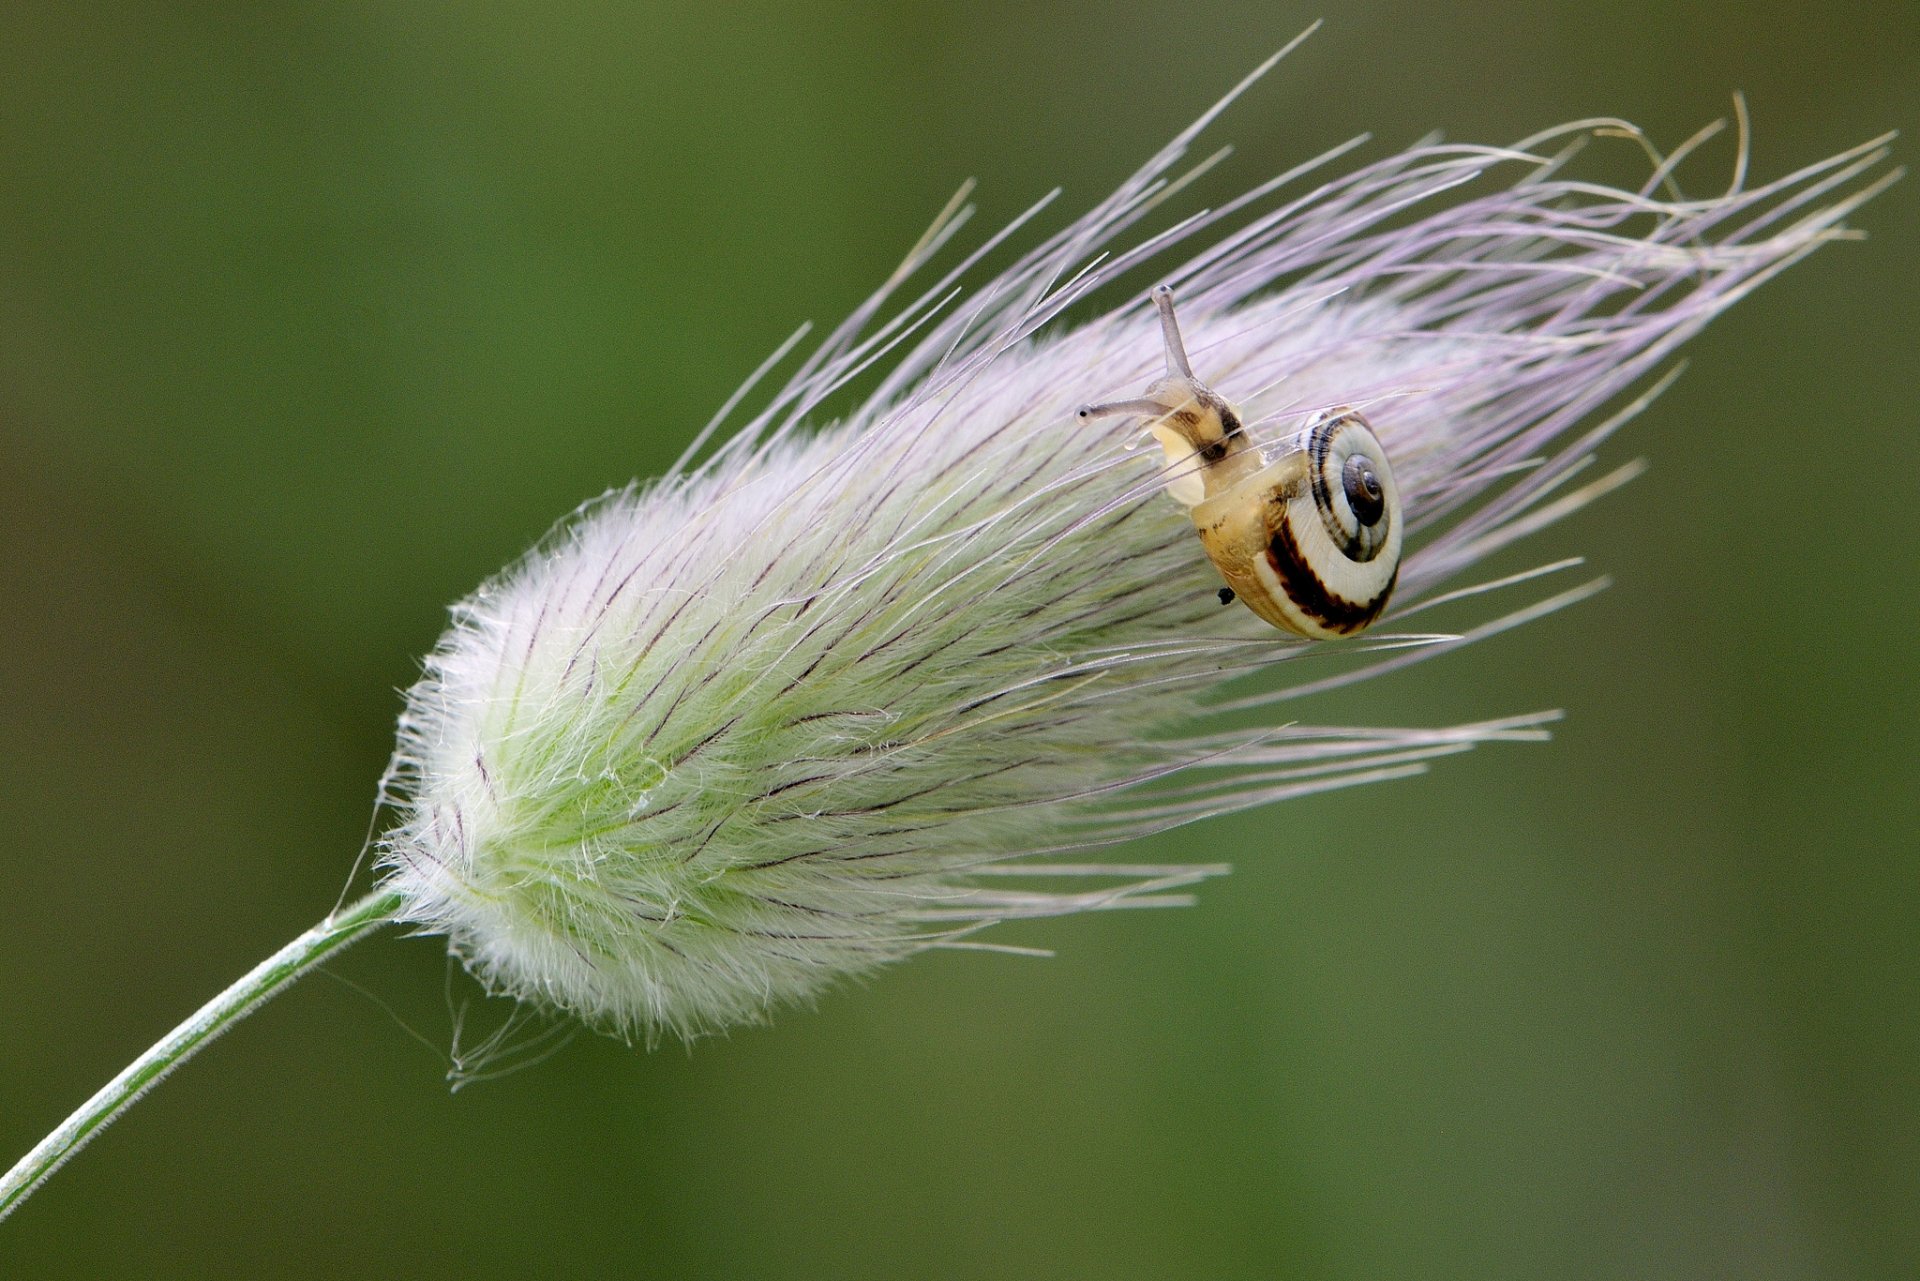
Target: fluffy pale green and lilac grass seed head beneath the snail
(830,698)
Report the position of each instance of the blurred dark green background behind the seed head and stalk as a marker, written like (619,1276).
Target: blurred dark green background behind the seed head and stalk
(314,316)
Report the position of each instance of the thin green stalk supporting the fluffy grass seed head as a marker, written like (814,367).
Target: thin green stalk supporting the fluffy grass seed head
(210,1021)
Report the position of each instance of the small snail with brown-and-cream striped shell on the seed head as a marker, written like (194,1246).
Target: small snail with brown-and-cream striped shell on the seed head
(1305,535)
